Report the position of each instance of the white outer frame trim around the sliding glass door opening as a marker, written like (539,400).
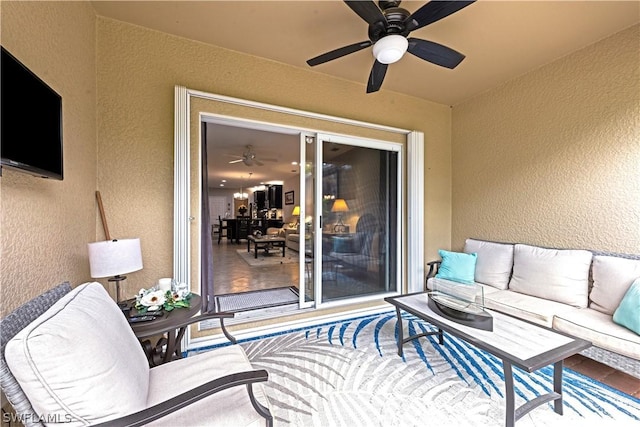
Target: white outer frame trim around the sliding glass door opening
(413,250)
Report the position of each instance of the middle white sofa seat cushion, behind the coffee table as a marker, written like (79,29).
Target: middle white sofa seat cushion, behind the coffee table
(534,309)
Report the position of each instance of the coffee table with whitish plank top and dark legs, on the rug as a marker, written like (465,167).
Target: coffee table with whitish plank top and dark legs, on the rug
(514,341)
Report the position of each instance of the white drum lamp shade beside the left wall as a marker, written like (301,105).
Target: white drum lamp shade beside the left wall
(113,257)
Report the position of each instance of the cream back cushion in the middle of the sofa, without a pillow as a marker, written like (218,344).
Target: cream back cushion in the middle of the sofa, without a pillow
(560,275)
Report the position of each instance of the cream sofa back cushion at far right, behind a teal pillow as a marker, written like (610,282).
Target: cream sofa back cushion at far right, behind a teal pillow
(612,277)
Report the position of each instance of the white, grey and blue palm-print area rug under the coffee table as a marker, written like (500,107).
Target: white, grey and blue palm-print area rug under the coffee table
(349,374)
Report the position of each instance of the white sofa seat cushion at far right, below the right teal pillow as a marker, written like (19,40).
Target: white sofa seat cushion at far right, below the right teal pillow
(600,329)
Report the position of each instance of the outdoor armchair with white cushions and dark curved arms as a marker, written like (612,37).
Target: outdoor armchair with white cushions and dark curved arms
(69,356)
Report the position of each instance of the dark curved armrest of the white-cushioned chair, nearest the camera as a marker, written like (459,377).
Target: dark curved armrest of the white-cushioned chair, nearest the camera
(187,398)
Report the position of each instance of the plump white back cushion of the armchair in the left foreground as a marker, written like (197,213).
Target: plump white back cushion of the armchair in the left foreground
(104,376)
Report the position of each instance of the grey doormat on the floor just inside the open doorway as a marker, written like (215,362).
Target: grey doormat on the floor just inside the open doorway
(254,300)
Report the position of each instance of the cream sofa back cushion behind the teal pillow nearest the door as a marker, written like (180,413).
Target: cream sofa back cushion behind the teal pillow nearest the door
(494,262)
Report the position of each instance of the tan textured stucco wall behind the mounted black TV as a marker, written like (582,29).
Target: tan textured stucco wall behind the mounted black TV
(44,224)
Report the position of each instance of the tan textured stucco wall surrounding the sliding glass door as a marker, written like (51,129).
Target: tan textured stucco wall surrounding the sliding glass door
(137,71)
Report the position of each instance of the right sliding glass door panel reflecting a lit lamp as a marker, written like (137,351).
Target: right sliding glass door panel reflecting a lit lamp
(357,236)
